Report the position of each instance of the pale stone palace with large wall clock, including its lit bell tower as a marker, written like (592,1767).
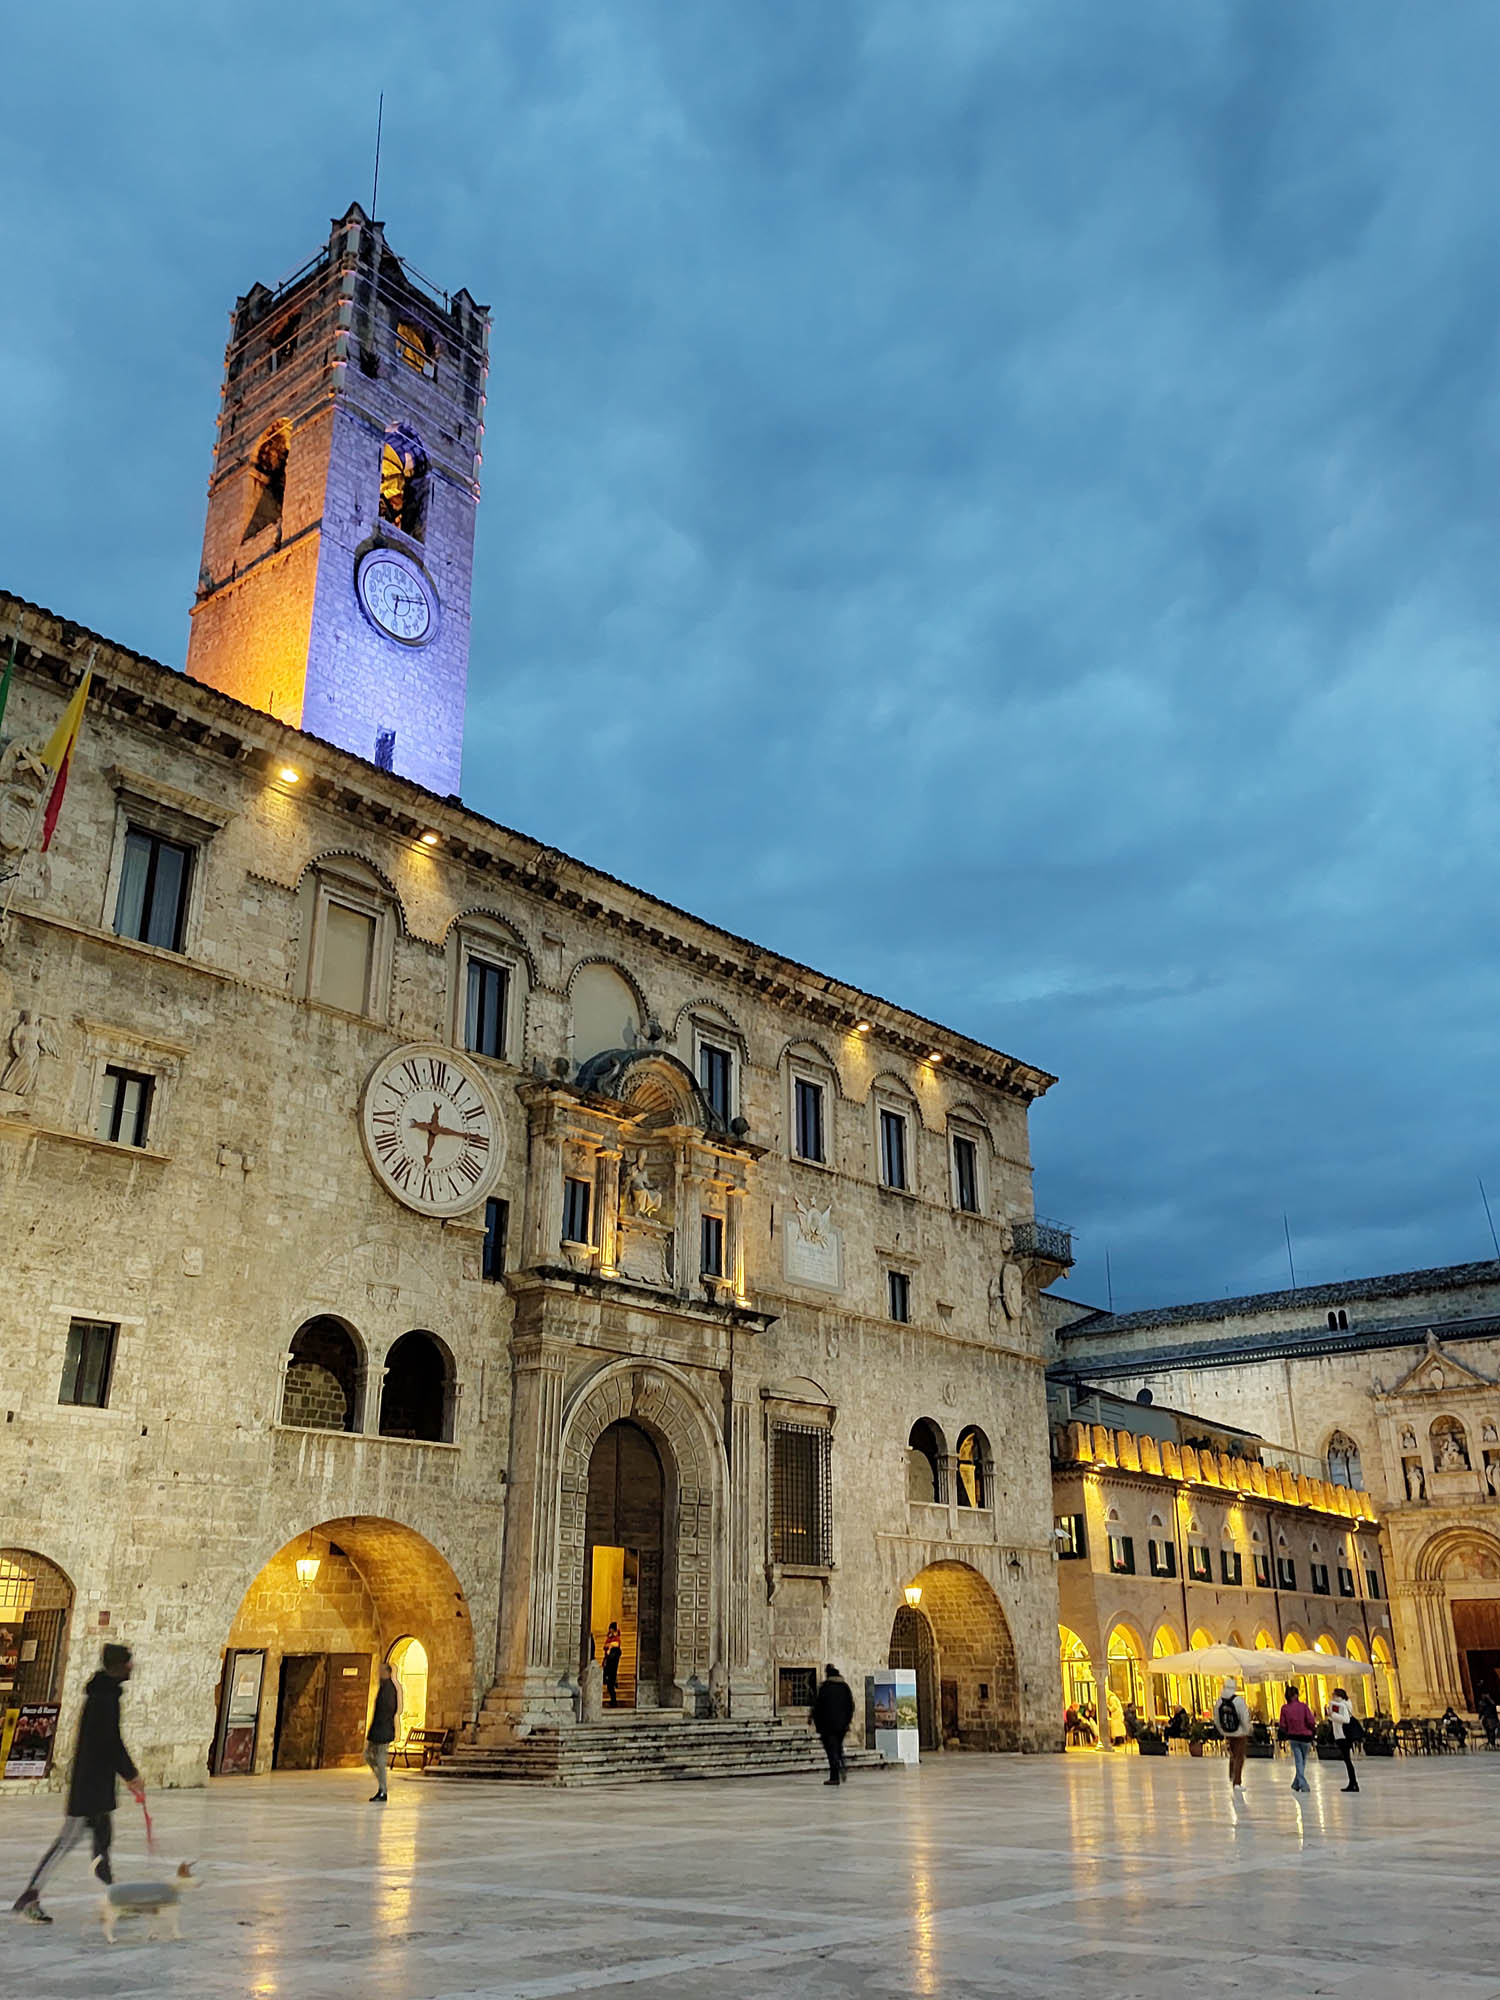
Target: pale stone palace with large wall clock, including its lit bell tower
(425,1247)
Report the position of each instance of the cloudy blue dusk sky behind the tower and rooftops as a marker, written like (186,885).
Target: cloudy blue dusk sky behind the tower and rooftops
(997,499)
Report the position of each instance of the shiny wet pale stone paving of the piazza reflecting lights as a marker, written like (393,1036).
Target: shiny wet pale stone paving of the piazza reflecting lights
(1001,1877)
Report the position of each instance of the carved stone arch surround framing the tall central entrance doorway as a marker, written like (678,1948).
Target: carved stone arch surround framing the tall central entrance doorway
(685,1433)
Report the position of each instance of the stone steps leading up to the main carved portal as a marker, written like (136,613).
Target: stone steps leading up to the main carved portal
(649,1749)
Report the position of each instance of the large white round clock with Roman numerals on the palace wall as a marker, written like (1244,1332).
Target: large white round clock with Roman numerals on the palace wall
(431,1131)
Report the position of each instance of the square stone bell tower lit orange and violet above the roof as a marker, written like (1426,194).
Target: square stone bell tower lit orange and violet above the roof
(339,547)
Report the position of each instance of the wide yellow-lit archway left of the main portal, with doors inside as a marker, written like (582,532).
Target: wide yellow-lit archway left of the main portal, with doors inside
(313,1627)
